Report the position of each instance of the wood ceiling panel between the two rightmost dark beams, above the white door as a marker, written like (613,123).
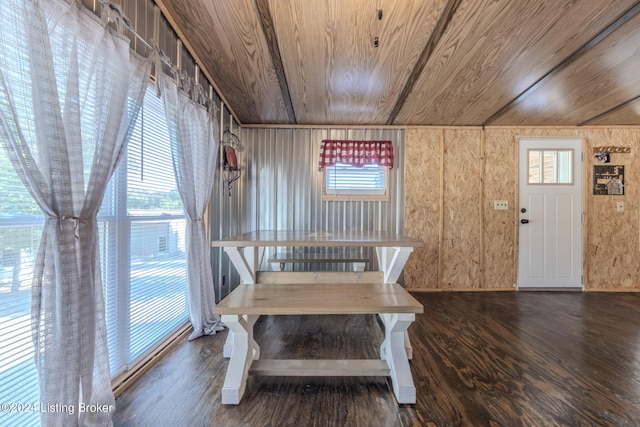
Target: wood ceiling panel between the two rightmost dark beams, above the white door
(602,79)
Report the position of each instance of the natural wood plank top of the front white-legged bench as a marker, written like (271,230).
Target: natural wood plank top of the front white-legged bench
(321,298)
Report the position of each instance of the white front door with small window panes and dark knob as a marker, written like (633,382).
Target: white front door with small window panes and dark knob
(550,213)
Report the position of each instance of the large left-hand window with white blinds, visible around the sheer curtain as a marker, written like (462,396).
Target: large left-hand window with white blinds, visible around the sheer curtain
(143,260)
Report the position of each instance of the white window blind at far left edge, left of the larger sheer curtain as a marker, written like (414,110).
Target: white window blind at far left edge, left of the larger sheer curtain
(21,224)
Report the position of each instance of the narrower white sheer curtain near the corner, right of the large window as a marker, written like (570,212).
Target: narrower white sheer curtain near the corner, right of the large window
(193,130)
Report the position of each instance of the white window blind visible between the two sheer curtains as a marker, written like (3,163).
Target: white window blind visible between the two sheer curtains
(144,243)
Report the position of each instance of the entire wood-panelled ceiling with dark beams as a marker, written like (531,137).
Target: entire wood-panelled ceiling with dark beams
(437,62)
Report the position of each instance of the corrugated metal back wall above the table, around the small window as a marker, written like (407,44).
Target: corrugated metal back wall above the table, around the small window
(289,186)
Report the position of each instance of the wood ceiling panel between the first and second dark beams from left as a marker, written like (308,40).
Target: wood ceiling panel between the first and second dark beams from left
(335,74)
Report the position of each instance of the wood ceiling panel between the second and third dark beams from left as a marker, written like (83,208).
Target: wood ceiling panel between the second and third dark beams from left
(493,51)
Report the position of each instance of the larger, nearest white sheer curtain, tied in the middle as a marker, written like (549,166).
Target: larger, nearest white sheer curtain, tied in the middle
(69,91)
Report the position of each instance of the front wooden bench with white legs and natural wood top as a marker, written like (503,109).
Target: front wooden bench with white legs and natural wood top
(280,296)
